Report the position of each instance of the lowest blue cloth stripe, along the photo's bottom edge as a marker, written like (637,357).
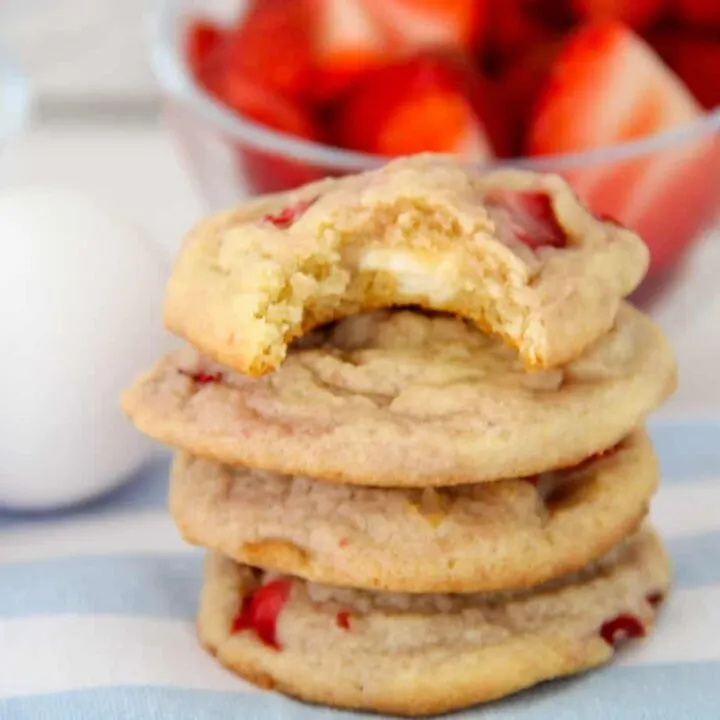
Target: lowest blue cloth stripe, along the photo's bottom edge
(663,692)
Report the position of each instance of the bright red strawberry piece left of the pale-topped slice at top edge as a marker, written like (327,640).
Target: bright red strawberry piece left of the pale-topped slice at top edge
(271,46)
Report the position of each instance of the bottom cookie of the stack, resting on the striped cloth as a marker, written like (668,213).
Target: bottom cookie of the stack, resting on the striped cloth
(425,654)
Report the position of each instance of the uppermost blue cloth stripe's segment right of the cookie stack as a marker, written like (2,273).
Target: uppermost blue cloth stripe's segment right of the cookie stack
(687,450)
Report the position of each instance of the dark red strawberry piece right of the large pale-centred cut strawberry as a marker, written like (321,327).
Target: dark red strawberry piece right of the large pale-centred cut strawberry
(696,60)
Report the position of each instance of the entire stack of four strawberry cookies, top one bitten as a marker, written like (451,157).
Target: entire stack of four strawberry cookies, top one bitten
(413,510)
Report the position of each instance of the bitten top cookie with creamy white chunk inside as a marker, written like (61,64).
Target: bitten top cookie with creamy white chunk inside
(513,251)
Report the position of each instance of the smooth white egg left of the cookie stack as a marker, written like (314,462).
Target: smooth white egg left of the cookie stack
(80,314)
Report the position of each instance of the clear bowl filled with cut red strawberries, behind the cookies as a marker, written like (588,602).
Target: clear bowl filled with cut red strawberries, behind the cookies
(621,98)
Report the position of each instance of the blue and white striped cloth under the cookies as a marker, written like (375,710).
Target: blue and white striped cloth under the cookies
(97,615)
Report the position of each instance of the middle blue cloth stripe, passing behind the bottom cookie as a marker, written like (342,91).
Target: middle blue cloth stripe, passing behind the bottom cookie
(168,586)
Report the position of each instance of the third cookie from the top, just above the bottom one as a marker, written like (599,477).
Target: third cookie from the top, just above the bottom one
(476,538)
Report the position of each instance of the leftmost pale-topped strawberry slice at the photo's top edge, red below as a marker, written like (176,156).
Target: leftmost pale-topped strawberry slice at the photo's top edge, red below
(347,41)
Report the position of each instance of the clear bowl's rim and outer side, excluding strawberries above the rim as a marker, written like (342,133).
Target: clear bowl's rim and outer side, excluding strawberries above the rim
(667,186)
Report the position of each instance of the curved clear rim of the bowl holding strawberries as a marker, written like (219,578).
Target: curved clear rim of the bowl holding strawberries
(177,81)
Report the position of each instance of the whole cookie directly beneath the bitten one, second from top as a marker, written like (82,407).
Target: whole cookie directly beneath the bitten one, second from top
(398,398)
